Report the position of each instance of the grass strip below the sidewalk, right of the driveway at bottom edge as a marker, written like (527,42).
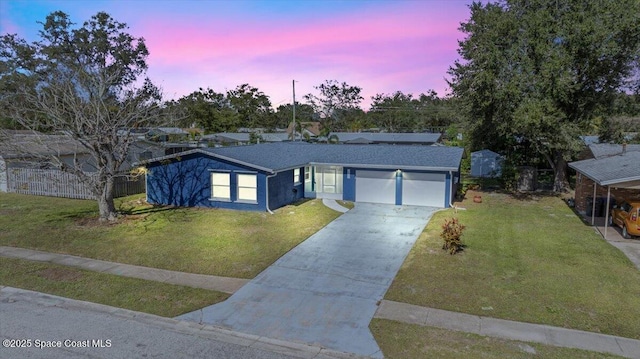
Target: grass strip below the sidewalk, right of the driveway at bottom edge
(405,341)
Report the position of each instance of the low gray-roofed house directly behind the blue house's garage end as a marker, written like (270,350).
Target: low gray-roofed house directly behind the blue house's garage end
(390,138)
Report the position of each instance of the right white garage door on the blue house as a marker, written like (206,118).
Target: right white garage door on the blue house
(423,189)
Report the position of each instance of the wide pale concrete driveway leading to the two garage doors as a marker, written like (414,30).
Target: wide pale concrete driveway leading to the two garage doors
(325,291)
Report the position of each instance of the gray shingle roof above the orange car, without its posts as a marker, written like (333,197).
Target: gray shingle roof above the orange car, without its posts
(611,170)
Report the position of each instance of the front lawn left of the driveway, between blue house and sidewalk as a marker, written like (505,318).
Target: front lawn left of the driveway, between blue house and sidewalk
(208,241)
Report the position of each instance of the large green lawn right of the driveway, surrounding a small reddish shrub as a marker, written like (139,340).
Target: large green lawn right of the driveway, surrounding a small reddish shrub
(527,259)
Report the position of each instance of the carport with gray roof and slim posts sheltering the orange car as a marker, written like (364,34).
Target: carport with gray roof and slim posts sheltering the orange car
(619,172)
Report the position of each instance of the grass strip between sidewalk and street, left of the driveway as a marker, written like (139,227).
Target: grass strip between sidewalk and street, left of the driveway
(167,300)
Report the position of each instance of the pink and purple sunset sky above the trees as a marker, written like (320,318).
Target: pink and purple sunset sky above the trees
(380,46)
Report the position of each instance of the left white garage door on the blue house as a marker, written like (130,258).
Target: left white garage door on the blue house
(376,186)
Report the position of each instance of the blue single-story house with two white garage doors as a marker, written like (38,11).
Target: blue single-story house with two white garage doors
(268,176)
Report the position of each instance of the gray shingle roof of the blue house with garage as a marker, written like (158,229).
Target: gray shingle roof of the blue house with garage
(274,157)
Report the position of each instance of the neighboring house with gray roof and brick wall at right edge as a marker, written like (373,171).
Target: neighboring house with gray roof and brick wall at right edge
(611,171)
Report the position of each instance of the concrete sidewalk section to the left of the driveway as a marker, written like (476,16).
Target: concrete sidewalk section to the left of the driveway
(210,282)
